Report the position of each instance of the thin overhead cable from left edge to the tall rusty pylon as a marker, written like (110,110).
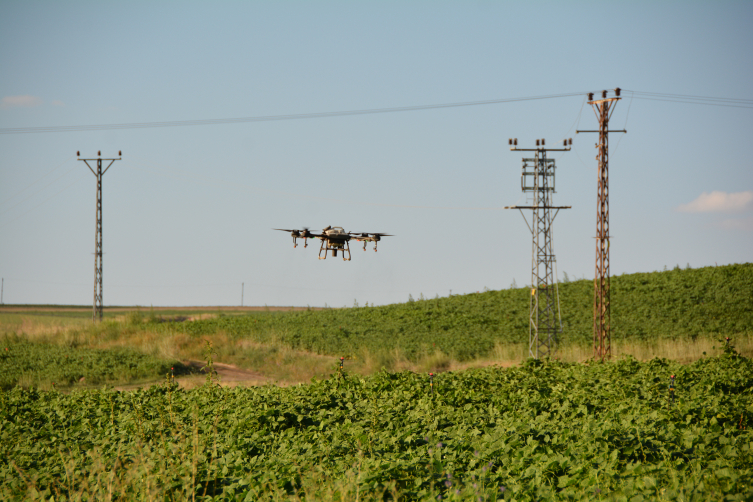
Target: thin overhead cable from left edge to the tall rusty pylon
(270,118)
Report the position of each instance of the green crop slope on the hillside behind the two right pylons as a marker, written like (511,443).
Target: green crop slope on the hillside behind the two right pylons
(680,303)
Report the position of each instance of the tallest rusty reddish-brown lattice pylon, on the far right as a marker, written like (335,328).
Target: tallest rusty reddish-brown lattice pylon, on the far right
(602,337)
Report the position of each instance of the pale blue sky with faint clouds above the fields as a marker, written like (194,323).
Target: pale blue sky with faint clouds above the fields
(189,211)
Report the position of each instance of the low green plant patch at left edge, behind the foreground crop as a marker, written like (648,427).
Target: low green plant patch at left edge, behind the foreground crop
(45,365)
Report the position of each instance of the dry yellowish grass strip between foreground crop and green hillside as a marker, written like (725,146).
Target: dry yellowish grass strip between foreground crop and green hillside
(277,362)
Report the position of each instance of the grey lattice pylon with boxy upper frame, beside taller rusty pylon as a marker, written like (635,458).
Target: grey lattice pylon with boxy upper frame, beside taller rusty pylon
(537,178)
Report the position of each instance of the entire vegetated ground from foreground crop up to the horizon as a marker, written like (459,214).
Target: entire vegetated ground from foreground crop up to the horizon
(541,430)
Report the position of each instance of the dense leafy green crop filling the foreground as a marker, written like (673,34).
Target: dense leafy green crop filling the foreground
(541,431)
